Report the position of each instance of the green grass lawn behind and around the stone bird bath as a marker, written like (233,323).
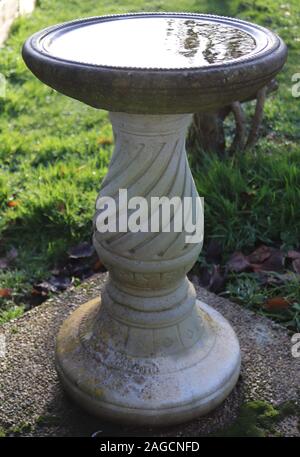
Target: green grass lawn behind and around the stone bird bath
(54,152)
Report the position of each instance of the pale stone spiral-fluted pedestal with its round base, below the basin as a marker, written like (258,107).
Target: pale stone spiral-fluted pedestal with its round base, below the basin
(148,353)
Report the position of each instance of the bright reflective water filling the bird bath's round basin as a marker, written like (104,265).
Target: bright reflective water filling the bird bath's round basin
(151,42)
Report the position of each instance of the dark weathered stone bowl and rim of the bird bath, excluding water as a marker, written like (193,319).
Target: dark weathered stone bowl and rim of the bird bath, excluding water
(158,90)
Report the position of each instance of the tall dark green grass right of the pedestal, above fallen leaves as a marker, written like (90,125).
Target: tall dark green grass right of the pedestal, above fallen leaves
(253,196)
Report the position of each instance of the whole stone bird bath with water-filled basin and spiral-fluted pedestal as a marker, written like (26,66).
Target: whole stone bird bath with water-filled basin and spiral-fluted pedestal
(148,352)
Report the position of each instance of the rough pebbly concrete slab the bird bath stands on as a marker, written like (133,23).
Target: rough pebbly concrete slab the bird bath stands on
(30,392)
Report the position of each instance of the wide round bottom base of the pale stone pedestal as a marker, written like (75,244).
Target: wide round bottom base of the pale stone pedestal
(151,391)
